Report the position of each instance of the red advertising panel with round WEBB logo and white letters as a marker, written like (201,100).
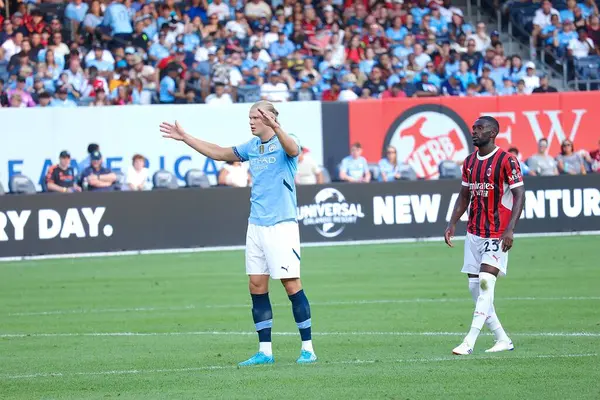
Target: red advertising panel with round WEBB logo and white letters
(427,131)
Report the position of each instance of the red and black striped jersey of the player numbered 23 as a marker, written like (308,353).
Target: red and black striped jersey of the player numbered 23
(490,180)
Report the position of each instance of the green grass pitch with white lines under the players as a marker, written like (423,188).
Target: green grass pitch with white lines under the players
(385,319)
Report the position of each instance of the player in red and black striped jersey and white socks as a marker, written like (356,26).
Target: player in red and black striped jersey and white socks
(493,186)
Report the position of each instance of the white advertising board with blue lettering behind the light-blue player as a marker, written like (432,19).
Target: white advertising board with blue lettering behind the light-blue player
(31,139)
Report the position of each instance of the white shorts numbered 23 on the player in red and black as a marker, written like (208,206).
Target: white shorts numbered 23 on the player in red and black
(479,251)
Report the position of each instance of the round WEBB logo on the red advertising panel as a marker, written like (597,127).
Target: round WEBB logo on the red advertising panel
(426,135)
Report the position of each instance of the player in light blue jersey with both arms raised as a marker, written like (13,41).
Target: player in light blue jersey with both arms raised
(273,238)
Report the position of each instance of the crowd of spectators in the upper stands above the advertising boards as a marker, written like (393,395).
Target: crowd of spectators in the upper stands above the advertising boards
(122,52)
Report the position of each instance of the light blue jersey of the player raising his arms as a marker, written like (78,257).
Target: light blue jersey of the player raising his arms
(273,198)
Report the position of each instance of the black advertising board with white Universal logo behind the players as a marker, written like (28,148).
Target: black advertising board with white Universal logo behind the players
(54,224)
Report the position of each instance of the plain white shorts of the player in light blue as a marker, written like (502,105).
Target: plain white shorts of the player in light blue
(273,250)
